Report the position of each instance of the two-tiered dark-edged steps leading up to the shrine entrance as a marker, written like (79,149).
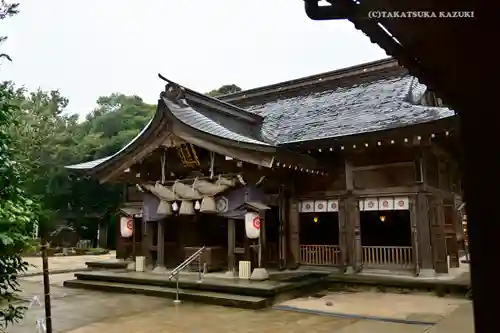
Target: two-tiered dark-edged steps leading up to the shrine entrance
(216,291)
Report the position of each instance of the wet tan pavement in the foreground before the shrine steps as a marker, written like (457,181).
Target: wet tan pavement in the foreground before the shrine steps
(83,311)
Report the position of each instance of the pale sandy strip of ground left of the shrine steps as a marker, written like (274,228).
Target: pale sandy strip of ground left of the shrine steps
(69,263)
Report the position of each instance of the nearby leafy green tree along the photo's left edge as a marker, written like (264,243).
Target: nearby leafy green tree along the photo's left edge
(16,210)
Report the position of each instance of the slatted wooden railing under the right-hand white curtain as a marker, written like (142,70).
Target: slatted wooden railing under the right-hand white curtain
(388,256)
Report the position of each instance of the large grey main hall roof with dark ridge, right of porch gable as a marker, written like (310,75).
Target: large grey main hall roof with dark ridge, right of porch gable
(366,98)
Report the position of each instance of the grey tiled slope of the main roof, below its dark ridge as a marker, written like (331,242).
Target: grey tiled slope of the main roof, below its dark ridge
(366,107)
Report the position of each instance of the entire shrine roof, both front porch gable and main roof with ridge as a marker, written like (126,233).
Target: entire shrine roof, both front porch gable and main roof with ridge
(366,98)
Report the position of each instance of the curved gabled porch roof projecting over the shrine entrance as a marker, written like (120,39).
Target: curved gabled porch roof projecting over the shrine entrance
(204,122)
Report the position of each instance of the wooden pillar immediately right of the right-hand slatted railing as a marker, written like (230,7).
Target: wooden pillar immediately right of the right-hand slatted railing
(425,260)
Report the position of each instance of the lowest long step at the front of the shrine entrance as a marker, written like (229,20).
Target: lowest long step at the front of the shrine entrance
(206,297)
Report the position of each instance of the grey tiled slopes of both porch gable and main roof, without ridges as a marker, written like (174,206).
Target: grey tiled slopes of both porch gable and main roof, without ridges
(383,103)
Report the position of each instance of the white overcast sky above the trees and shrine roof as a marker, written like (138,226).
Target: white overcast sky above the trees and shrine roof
(90,48)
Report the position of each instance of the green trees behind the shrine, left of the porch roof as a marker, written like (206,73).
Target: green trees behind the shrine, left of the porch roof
(49,139)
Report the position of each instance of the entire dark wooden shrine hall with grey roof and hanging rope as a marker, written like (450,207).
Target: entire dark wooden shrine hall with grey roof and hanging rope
(351,169)
